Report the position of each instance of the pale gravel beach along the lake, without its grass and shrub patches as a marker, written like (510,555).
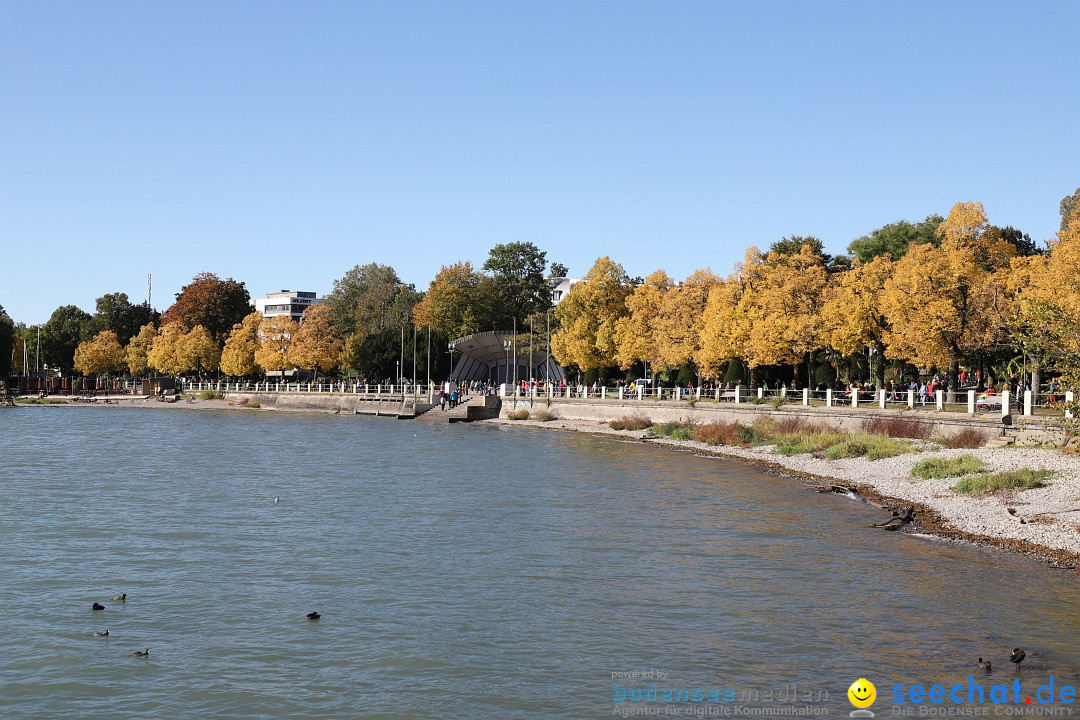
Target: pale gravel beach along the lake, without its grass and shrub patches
(1051,527)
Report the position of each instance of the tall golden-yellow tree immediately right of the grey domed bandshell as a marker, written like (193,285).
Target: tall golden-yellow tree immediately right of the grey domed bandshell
(588,317)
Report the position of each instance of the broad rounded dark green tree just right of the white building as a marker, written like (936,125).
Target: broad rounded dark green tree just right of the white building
(371,298)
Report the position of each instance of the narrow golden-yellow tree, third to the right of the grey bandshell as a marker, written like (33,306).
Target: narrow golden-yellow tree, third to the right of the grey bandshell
(679,324)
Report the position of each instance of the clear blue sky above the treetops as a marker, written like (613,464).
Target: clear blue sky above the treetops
(283,143)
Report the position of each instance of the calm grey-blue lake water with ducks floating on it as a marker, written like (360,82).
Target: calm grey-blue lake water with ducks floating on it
(464,572)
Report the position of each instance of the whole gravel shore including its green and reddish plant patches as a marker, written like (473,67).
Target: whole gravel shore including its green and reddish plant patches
(1016,499)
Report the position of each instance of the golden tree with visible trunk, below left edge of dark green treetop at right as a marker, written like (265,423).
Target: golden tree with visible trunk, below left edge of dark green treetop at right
(853,316)
